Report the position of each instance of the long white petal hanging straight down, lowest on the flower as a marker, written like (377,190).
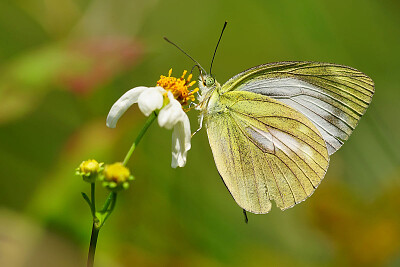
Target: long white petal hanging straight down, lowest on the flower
(181,136)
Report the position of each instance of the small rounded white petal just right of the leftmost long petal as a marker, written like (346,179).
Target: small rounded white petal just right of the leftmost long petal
(150,100)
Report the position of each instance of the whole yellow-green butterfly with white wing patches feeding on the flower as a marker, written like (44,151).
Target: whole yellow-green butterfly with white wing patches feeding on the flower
(272,128)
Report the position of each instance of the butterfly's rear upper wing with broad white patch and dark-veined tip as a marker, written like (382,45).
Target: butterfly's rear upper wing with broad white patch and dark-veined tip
(333,97)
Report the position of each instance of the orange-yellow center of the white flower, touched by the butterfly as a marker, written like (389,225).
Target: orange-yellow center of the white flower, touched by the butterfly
(179,87)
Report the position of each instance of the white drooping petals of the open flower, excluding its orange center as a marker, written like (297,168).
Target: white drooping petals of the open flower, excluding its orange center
(170,116)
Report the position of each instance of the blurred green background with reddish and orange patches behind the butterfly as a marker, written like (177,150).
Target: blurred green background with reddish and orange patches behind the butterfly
(64,63)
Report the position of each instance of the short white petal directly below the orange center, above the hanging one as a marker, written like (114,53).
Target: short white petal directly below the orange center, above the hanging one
(171,113)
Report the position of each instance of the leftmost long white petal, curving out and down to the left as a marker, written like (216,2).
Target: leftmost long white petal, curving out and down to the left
(122,104)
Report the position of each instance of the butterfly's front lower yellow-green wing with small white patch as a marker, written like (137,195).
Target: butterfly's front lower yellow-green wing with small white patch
(264,150)
